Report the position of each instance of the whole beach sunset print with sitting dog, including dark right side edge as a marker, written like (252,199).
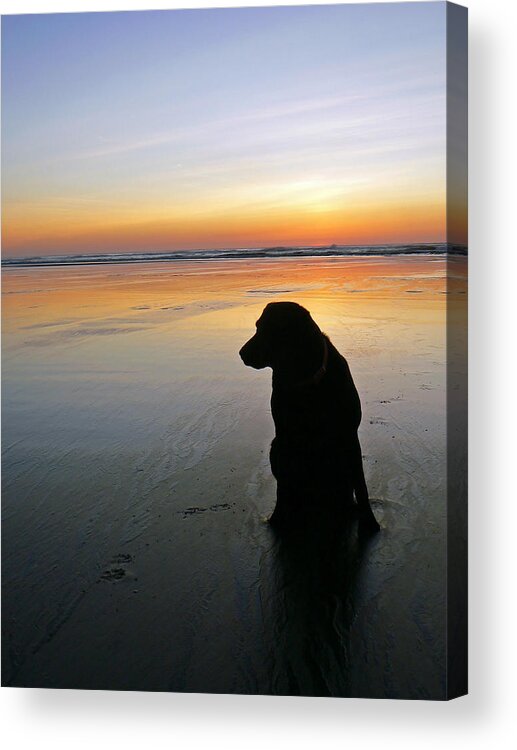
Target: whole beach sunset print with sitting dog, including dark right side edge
(167,176)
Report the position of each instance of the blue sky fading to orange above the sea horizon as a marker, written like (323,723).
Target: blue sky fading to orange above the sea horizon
(162,130)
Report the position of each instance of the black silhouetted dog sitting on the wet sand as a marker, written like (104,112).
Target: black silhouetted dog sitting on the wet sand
(315,455)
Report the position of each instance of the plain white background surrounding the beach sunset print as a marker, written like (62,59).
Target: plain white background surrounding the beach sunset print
(62,719)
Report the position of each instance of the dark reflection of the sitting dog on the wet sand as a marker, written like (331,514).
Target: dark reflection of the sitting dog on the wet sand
(309,590)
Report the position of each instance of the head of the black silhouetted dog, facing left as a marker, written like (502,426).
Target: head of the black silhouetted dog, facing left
(285,338)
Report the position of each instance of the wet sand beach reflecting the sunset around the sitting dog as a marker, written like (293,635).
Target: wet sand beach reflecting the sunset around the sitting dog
(136,481)
